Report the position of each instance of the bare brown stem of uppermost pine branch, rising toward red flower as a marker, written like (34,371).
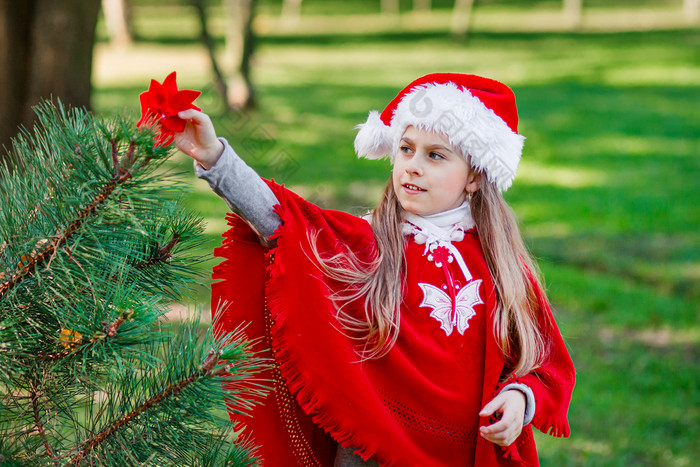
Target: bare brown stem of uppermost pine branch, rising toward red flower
(29,263)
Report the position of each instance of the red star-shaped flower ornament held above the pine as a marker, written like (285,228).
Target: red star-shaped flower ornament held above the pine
(160,106)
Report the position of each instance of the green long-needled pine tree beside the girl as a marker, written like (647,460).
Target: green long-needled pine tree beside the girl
(112,391)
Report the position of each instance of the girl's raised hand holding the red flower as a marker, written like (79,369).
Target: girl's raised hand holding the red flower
(198,140)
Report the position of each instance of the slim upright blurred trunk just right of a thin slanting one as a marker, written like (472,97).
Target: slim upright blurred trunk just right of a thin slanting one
(240,45)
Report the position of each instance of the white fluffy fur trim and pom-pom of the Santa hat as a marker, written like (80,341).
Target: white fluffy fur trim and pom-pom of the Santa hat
(469,125)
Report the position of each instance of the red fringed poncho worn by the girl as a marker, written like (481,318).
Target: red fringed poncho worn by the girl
(419,404)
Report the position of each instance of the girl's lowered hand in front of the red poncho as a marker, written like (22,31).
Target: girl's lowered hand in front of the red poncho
(511,406)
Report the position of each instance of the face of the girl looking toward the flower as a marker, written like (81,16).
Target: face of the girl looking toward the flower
(430,175)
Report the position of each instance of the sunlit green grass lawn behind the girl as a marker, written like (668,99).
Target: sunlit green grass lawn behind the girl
(607,192)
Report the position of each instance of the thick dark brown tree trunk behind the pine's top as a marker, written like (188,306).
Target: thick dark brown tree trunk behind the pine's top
(45,51)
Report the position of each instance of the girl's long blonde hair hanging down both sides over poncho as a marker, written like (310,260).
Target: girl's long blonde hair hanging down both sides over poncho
(518,318)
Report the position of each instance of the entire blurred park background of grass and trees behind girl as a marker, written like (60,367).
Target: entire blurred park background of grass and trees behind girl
(607,193)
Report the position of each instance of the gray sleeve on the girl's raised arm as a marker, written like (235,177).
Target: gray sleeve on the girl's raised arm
(243,190)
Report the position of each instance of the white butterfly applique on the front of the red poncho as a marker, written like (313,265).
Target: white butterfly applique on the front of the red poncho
(467,298)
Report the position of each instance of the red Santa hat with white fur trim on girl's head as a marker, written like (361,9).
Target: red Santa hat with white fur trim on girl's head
(478,116)
